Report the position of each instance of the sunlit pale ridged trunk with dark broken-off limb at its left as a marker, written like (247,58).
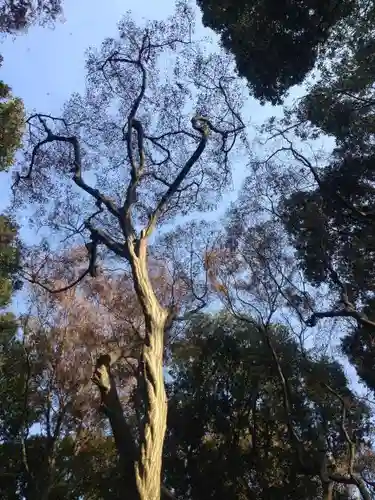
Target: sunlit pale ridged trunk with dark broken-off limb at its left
(143,467)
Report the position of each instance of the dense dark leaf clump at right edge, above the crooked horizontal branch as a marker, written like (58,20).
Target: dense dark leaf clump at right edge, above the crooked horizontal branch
(330,224)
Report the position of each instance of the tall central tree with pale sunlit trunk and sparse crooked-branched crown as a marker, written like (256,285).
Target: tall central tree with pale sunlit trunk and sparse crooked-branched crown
(155,155)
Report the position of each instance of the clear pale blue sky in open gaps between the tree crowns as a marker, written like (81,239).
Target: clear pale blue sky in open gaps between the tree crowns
(45,66)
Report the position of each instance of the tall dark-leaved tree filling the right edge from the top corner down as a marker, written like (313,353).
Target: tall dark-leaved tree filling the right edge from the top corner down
(328,209)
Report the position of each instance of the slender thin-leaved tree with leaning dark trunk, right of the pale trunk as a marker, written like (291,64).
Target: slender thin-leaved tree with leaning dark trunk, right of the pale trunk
(253,269)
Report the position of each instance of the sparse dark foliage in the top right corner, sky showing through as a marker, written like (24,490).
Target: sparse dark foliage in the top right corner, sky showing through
(340,104)
